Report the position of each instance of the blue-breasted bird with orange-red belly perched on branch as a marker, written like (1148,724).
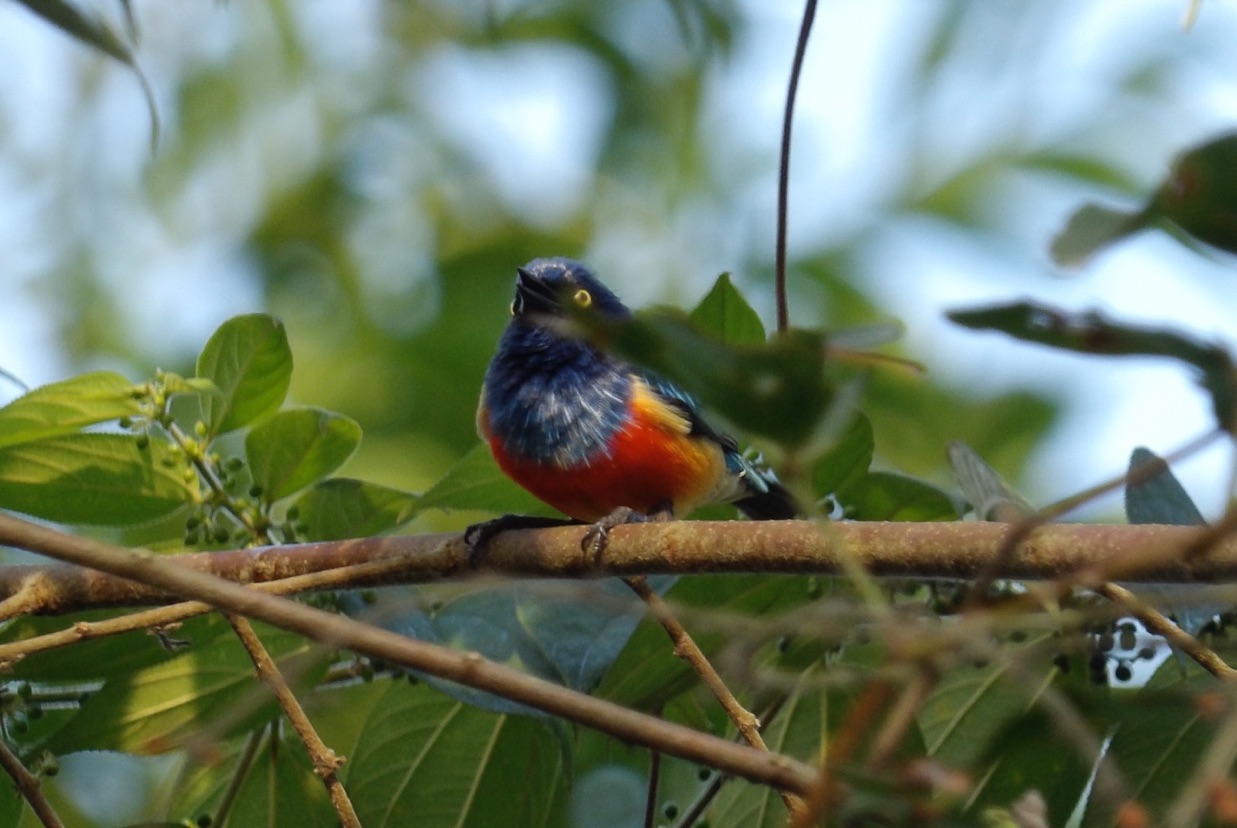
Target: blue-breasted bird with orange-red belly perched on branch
(599,439)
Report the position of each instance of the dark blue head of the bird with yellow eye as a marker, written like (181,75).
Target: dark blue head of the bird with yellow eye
(556,287)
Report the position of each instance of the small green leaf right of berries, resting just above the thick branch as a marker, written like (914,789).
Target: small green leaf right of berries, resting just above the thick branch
(342,508)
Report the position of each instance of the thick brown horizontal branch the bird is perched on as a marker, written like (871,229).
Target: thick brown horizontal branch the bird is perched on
(957,550)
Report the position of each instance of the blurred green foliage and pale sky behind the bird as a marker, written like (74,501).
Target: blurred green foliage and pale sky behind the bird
(373,173)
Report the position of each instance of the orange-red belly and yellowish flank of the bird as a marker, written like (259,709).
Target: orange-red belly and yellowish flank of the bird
(653,461)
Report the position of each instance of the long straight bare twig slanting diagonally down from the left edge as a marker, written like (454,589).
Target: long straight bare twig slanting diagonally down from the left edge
(467,669)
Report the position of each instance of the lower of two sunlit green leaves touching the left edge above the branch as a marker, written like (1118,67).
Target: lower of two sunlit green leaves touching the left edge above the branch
(95,478)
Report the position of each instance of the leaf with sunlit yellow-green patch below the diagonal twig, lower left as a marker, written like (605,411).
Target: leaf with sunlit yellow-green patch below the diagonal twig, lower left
(156,710)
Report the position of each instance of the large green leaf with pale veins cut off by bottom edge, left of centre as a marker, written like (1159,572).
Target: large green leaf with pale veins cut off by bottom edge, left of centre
(425,759)
